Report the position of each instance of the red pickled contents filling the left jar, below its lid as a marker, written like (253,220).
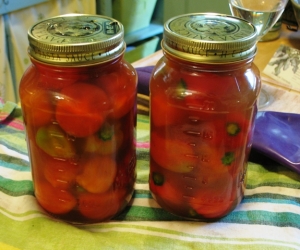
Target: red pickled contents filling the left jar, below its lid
(80,125)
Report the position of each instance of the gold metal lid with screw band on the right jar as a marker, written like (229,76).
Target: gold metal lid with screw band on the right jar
(209,38)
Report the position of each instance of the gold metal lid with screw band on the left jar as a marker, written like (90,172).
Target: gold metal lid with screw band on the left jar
(76,39)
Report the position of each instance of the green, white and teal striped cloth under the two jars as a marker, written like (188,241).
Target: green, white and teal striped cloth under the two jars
(267,218)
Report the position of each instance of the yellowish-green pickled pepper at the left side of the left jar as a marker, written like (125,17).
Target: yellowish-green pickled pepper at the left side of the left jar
(55,142)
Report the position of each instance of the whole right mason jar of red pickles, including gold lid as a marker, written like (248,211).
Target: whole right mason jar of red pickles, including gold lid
(203,94)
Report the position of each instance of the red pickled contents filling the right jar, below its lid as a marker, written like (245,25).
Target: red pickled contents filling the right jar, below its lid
(201,130)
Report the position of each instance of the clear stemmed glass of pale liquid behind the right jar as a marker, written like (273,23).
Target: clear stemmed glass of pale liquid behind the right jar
(263,14)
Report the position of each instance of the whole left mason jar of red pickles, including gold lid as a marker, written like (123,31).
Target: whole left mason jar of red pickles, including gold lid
(78,100)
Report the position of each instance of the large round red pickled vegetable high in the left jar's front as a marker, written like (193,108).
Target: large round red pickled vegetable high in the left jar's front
(81,109)
